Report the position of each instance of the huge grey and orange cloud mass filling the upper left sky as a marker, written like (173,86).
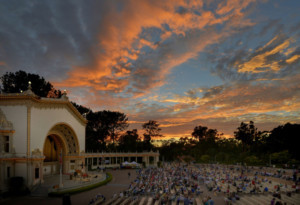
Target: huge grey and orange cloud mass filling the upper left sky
(110,46)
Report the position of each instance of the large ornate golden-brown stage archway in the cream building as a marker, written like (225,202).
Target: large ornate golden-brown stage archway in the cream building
(60,149)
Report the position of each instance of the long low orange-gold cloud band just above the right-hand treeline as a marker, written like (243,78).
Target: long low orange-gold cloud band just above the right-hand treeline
(224,107)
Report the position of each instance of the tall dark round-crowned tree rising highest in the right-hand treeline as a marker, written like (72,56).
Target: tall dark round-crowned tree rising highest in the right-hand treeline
(246,133)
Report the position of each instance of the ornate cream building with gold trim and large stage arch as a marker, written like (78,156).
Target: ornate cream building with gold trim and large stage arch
(37,135)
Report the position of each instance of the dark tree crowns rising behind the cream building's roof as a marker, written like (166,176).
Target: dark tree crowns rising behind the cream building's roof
(18,82)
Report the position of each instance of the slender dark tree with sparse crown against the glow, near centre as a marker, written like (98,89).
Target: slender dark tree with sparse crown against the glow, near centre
(151,130)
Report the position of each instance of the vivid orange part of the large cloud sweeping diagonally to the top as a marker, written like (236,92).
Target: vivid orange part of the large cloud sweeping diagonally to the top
(120,43)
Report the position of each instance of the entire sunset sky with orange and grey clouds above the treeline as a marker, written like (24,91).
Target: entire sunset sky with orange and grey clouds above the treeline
(213,63)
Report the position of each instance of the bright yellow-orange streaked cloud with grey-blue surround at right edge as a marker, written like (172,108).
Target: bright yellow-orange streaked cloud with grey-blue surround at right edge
(274,57)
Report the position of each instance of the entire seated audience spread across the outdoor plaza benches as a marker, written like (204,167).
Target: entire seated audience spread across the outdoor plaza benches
(184,184)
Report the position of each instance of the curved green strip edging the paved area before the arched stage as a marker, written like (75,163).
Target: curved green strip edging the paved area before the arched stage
(82,189)
